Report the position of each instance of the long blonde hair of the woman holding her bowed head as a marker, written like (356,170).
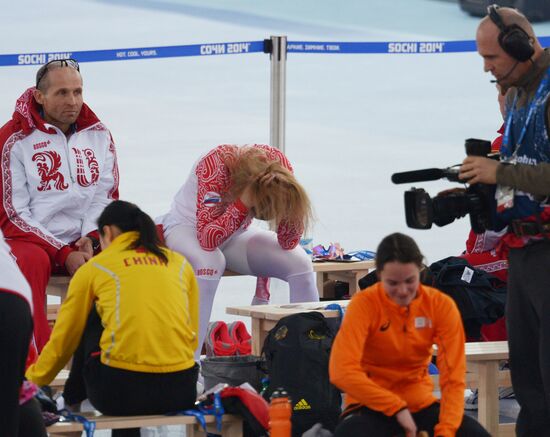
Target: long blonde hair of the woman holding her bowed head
(275,198)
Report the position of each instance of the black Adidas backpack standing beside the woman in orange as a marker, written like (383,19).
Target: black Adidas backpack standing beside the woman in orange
(297,353)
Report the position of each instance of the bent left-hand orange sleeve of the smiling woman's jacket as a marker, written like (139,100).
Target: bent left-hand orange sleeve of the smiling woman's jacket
(345,368)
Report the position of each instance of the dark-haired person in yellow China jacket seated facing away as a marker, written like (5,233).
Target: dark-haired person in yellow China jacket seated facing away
(131,315)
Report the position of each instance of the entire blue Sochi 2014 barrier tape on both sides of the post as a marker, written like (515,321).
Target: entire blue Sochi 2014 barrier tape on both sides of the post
(245,47)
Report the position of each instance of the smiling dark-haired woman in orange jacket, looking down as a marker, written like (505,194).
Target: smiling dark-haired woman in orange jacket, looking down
(381,354)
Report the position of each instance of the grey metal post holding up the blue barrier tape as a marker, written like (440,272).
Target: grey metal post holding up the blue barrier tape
(277,46)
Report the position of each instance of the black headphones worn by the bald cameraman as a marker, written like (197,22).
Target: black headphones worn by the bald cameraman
(512,38)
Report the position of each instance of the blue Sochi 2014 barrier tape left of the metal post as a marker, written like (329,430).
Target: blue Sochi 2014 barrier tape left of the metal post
(226,48)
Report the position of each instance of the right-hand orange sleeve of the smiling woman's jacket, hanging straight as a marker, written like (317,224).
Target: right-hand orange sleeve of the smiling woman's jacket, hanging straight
(451,362)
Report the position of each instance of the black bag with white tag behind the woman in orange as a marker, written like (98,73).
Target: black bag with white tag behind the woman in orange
(480,296)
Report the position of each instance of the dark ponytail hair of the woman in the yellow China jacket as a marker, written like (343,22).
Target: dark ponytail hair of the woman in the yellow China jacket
(128,217)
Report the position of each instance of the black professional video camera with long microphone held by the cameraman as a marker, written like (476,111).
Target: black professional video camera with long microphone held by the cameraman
(477,200)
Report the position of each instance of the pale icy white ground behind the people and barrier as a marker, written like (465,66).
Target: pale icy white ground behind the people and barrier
(352,120)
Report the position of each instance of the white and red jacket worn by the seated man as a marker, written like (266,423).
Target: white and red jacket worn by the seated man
(54,187)
